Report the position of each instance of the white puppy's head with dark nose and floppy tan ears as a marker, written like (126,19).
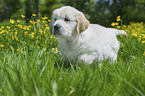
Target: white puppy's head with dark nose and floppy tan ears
(67,21)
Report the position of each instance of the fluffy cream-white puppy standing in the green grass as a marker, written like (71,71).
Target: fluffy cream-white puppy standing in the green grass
(80,41)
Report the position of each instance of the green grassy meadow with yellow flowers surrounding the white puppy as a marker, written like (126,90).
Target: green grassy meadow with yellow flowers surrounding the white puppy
(31,63)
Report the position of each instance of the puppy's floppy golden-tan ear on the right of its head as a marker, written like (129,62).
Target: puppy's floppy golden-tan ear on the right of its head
(83,23)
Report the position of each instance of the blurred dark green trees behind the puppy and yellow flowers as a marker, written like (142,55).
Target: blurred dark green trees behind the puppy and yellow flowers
(102,12)
